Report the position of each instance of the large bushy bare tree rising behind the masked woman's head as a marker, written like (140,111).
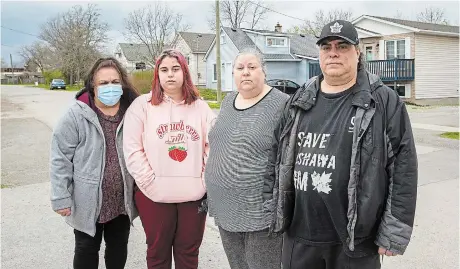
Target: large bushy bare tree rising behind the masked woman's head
(77,38)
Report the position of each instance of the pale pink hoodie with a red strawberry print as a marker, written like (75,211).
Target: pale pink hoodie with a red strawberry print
(166,148)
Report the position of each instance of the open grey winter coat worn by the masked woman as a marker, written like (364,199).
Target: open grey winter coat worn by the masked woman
(77,164)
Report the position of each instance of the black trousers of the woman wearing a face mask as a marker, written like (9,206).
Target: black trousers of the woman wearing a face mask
(116,234)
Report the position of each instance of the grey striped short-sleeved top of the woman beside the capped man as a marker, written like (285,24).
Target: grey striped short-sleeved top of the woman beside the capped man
(239,146)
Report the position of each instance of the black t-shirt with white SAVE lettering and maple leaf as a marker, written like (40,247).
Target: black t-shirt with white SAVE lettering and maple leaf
(322,170)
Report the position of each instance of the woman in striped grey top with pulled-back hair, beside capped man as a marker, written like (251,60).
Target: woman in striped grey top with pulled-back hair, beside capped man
(239,145)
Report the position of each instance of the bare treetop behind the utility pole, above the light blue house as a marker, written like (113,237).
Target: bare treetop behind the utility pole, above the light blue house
(238,14)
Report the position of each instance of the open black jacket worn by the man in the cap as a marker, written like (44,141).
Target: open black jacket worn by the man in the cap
(382,188)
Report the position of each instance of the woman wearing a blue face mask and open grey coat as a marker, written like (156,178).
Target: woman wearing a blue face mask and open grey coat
(90,185)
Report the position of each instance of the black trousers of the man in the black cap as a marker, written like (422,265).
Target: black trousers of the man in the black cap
(298,255)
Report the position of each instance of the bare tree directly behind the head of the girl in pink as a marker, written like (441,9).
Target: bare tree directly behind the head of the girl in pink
(156,27)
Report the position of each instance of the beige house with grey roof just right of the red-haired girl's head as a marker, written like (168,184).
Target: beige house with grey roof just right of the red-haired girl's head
(194,47)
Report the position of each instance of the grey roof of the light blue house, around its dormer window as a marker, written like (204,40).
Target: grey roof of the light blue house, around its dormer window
(304,45)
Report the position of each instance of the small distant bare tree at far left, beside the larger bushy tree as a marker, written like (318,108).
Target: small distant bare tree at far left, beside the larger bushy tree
(39,54)
